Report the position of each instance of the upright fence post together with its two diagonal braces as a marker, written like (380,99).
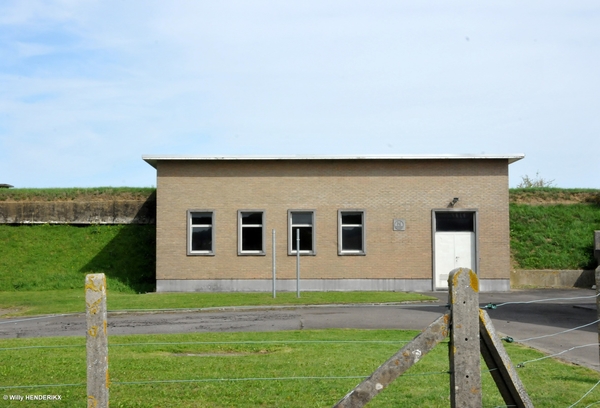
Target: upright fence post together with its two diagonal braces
(471,333)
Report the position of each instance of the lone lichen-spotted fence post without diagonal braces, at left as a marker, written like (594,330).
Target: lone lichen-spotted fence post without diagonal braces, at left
(96,341)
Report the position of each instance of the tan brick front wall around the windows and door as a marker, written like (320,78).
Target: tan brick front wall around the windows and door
(385,189)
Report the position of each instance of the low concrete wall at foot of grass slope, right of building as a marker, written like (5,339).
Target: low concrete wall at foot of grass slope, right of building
(551,278)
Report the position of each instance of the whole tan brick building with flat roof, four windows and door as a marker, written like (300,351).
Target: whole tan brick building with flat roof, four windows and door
(365,222)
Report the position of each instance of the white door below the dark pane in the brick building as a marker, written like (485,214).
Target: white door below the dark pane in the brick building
(452,250)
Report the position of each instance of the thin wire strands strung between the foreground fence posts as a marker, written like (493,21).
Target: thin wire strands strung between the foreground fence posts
(390,343)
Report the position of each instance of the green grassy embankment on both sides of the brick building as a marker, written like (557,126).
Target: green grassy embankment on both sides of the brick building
(551,228)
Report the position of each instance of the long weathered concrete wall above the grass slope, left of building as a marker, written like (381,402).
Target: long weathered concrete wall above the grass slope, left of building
(79,212)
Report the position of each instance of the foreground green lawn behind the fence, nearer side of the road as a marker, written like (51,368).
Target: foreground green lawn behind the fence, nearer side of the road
(277,369)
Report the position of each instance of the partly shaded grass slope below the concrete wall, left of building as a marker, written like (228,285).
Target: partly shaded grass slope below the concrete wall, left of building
(51,257)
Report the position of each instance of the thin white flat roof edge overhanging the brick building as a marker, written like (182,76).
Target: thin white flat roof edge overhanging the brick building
(153,159)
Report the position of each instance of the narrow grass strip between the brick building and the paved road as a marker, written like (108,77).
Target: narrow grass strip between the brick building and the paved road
(21,303)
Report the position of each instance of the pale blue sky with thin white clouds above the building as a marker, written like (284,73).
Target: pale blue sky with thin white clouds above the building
(88,87)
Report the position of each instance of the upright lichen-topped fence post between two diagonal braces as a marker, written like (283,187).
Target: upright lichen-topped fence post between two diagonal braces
(464,348)
